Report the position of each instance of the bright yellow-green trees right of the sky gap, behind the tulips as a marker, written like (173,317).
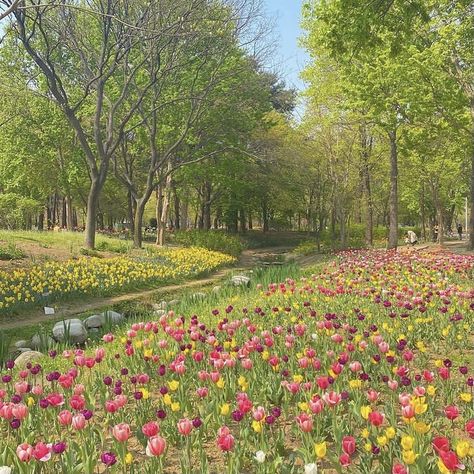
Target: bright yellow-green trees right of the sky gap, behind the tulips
(393,80)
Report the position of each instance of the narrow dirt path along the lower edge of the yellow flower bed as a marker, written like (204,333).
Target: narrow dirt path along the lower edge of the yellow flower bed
(30,317)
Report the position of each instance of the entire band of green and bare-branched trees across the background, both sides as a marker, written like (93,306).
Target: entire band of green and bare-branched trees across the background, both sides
(121,110)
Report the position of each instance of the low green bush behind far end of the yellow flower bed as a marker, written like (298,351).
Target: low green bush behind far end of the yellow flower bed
(211,240)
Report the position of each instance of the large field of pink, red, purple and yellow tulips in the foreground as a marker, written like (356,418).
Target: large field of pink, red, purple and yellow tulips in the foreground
(364,367)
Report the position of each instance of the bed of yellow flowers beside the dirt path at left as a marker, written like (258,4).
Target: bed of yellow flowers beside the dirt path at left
(99,276)
